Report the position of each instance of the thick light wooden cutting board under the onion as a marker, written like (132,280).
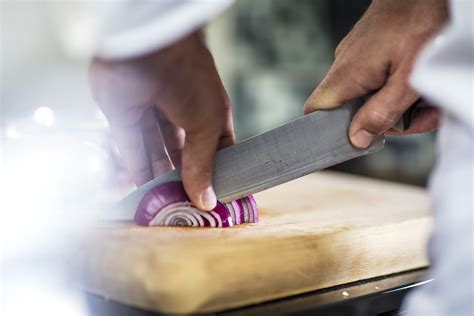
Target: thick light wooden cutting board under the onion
(319,231)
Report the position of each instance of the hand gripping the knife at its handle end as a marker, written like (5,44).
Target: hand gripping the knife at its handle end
(378,55)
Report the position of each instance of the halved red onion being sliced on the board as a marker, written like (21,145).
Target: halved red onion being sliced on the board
(168,205)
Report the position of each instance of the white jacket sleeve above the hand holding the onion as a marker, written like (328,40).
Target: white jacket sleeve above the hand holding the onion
(132,28)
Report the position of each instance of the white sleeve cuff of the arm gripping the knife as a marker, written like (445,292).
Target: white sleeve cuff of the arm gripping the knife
(444,71)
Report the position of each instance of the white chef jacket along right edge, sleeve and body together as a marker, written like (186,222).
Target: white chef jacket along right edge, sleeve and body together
(444,75)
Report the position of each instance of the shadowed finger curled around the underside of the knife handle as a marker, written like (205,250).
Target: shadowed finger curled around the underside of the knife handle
(425,119)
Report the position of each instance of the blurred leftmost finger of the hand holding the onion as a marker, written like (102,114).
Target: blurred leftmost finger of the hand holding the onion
(128,138)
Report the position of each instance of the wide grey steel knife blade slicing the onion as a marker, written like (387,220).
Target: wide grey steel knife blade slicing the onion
(305,145)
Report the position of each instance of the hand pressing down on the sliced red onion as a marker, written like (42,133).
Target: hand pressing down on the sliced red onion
(165,110)
